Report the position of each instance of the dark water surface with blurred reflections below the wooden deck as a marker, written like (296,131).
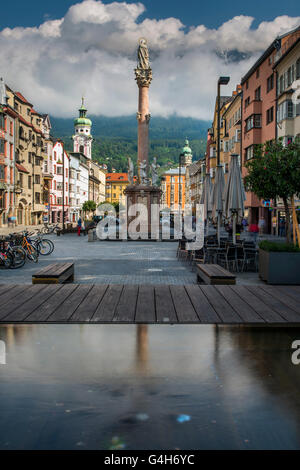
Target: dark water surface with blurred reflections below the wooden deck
(104,386)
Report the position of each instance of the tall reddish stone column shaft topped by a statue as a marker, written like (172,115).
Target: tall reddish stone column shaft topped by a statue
(143,76)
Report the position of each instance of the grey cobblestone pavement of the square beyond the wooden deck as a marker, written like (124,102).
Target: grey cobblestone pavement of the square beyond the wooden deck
(116,262)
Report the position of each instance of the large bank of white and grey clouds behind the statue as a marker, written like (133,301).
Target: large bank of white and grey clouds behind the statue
(92,51)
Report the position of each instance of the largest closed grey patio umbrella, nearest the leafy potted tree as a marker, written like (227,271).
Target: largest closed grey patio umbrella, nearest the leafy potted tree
(234,195)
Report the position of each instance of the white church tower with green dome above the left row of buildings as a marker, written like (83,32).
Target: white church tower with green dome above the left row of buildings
(82,137)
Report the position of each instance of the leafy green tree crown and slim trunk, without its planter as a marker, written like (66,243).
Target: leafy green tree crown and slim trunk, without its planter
(274,173)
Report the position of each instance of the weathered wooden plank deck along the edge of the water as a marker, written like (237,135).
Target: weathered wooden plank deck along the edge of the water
(88,303)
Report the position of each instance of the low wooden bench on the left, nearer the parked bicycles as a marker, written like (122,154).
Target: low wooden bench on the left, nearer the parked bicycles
(57,273)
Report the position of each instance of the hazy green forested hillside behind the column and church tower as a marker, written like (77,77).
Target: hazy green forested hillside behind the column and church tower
(115,139)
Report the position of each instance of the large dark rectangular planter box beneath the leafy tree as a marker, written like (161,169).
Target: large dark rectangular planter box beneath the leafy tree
(279,267)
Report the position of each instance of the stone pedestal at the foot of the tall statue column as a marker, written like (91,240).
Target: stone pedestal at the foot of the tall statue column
(148,196)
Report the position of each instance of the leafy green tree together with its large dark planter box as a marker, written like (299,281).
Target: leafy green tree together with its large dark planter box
(274,173)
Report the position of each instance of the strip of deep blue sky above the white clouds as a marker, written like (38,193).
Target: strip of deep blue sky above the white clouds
(190,12)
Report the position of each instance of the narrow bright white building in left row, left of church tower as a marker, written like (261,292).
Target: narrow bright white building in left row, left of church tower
(56,184)
